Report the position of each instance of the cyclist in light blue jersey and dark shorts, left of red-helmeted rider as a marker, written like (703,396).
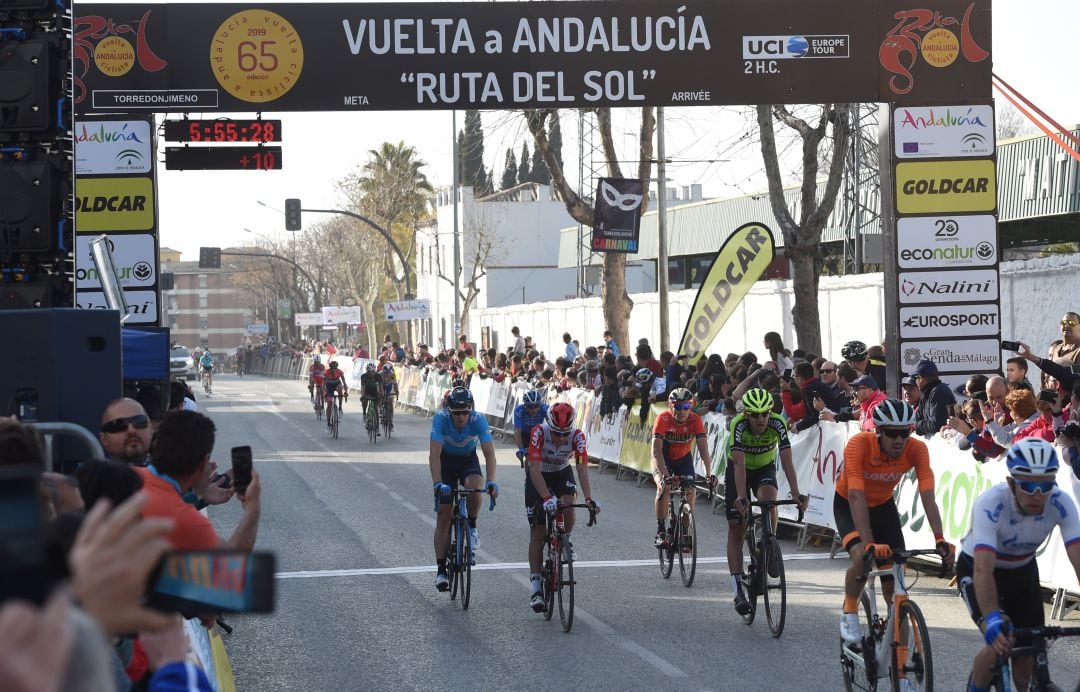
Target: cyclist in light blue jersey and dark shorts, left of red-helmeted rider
(456,431)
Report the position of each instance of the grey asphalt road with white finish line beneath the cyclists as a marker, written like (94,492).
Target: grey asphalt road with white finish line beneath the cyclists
(352,525)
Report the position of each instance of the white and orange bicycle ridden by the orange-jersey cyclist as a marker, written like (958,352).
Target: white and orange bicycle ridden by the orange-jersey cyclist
(907,654)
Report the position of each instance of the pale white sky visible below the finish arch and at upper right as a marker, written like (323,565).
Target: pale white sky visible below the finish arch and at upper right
(1032,51)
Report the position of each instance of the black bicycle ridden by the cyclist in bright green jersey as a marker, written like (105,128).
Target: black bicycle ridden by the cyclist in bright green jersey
(765,553)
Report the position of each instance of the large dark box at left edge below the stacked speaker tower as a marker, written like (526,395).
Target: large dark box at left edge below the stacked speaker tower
(65,363)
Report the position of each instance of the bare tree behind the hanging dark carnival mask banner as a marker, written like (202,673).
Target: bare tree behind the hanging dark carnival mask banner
(617,304)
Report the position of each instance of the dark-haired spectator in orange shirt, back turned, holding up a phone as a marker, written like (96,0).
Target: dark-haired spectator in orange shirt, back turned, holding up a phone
(181,459)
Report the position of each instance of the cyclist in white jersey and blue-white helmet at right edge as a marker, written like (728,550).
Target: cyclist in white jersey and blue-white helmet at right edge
(997,574)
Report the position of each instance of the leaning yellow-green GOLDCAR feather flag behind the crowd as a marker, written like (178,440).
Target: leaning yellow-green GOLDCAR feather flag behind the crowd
(741,262)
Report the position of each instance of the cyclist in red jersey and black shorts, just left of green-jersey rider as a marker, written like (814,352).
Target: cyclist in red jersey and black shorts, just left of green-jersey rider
(674,436)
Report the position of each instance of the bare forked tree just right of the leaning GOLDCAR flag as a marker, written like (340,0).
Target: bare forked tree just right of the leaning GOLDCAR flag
(803,238)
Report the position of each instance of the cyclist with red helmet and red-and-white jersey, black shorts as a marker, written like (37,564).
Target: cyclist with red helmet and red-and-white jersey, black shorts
(550,484)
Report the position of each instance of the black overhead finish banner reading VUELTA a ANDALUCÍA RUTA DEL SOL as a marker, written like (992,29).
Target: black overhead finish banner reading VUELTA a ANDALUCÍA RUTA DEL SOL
(506,56)
